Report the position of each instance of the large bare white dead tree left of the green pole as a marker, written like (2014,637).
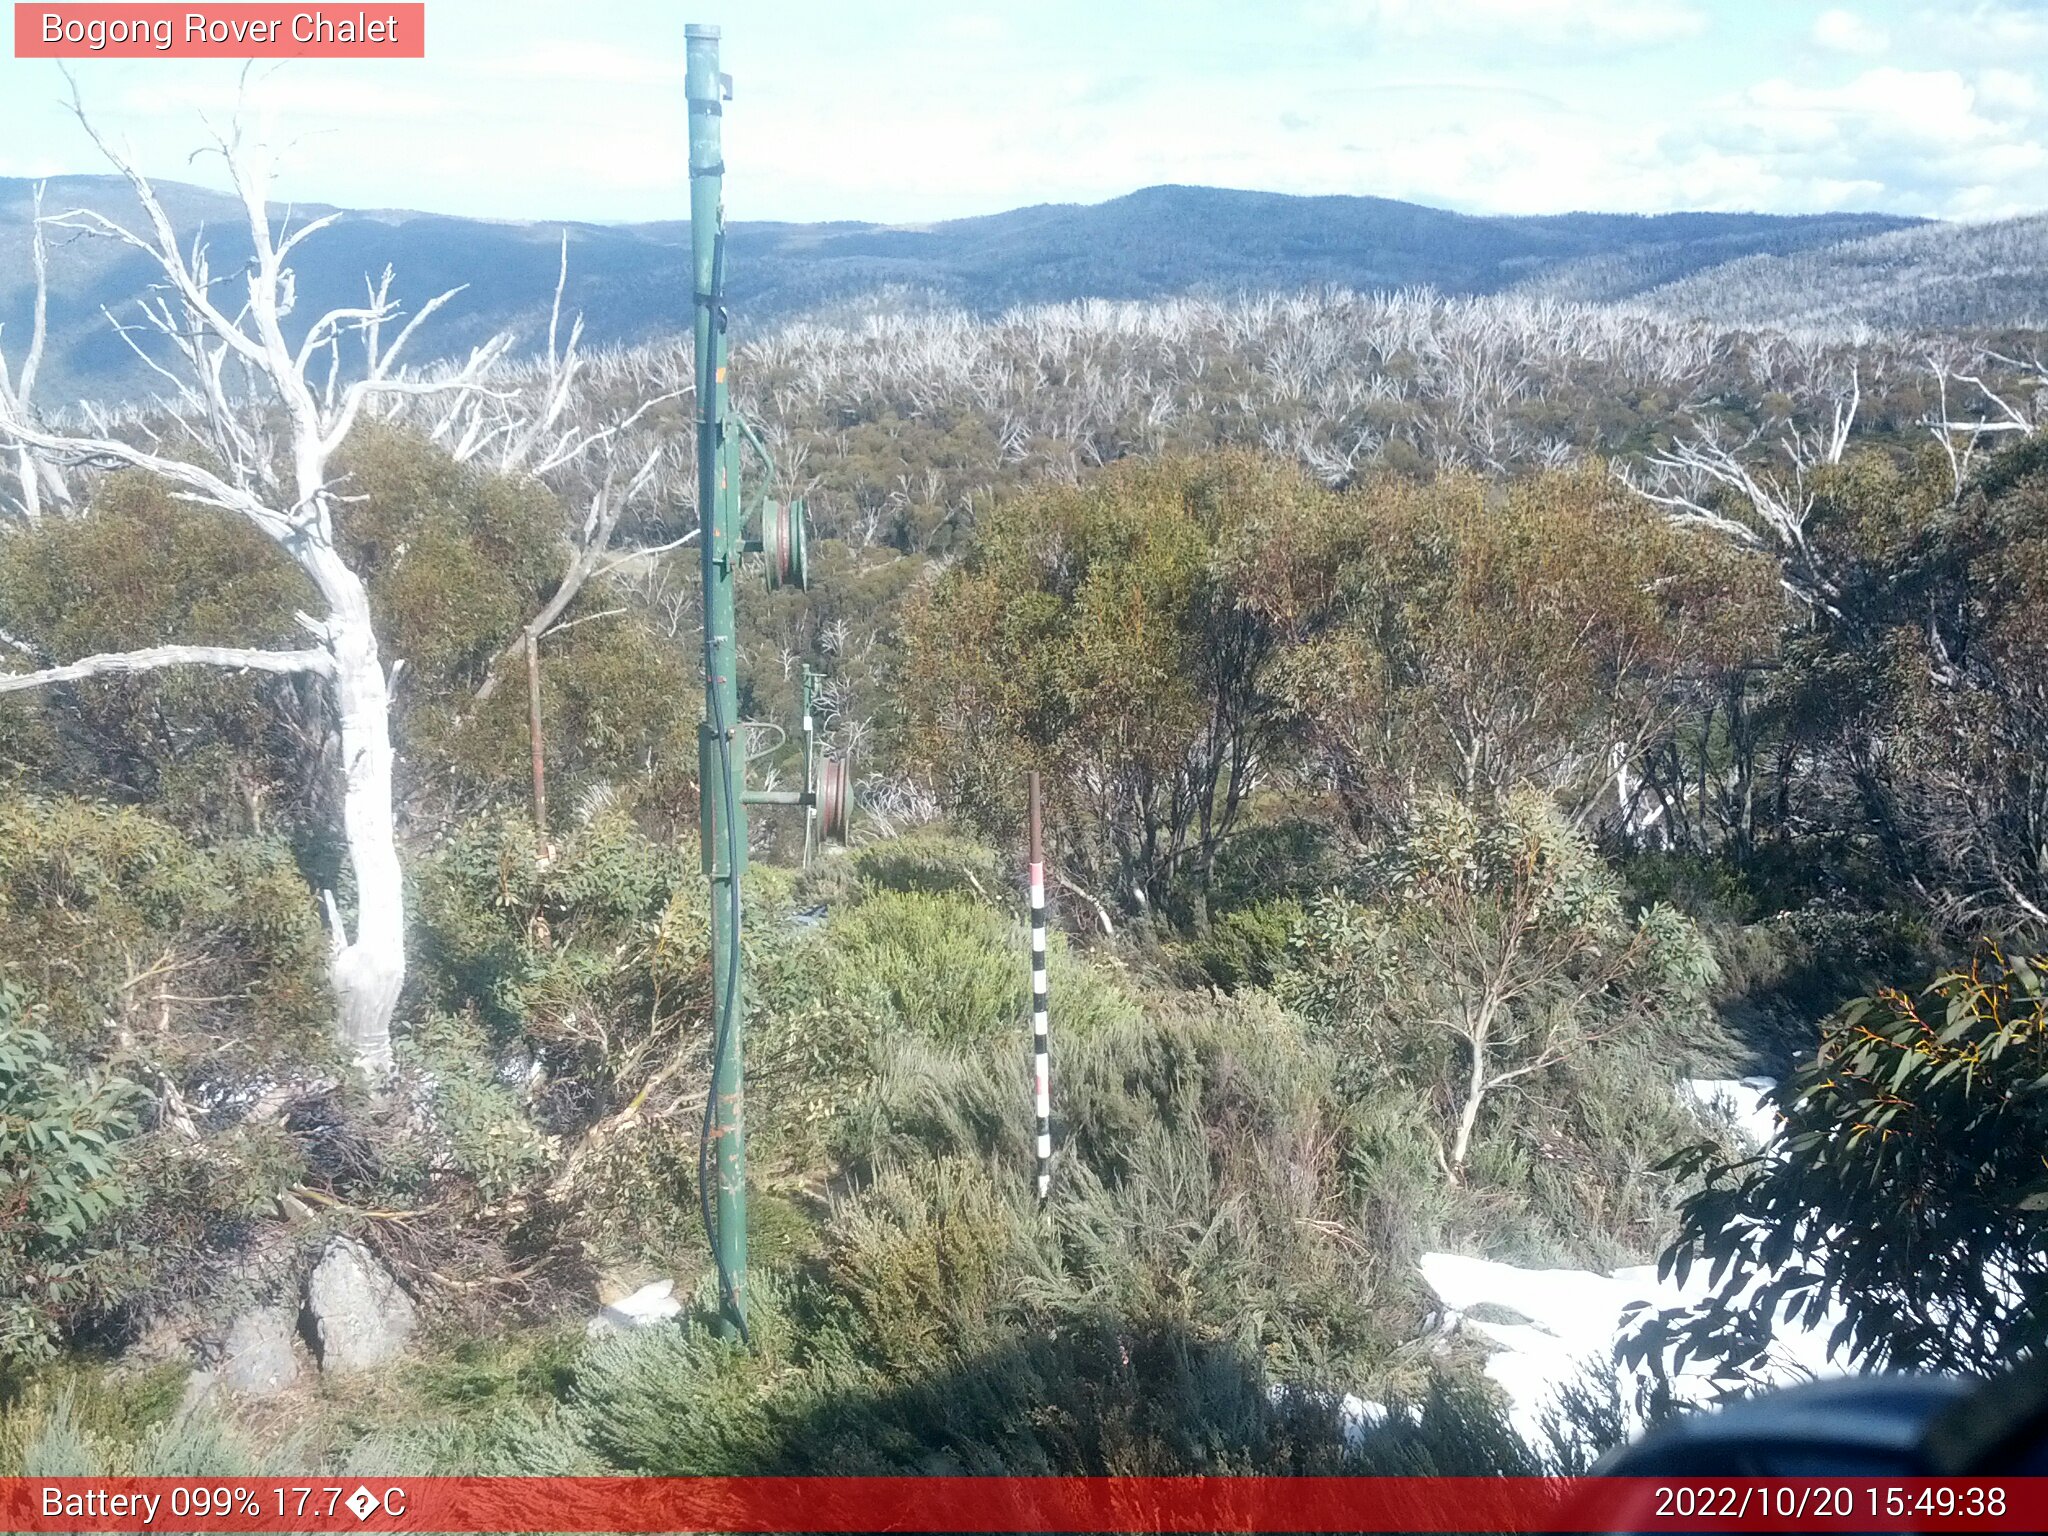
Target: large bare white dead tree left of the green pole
(263,443)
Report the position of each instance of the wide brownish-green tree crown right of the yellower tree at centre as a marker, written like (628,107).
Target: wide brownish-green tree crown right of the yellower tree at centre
(1471,638)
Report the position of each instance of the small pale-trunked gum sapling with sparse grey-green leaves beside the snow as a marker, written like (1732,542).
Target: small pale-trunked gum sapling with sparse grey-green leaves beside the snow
(1496,986)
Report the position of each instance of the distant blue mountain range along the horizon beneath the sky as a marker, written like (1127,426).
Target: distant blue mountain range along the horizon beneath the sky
(632,282)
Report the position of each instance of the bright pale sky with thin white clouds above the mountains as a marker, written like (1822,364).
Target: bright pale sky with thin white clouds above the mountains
(914,112)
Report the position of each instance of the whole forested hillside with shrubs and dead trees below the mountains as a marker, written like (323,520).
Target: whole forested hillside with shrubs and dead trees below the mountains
(1461,720)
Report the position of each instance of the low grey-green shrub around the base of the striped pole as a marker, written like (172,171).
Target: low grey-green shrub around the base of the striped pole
(1201,1183)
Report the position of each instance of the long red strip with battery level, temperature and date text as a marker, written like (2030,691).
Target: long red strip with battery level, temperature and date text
(1017,1504)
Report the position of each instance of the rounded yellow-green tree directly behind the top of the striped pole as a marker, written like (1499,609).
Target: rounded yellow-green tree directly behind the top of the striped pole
(1095,634)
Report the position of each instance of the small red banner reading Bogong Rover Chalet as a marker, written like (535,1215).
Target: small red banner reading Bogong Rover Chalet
(220,32)
